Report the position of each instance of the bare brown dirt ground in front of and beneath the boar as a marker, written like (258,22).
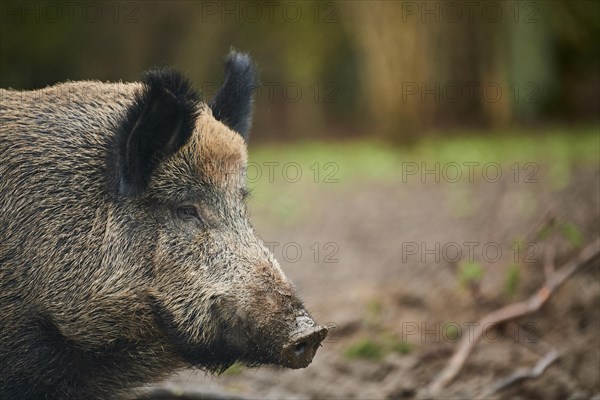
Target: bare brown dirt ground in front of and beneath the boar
(370,286)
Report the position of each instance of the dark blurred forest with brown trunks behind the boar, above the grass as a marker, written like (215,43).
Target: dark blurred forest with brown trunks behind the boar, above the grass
(332,69)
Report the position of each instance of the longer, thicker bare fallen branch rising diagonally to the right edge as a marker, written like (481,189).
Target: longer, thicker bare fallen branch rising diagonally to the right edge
(533,304)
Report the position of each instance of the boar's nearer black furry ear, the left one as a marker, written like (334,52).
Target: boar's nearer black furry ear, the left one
(159,121)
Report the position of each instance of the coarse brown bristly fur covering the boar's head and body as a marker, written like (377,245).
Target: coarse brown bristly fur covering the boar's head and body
(103,289)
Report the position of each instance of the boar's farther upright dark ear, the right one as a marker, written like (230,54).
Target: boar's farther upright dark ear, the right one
(232,104)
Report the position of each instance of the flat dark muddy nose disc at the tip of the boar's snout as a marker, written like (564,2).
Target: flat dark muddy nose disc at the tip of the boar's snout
(302,349)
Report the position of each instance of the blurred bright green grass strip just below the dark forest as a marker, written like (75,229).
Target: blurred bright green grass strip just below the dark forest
(346,162)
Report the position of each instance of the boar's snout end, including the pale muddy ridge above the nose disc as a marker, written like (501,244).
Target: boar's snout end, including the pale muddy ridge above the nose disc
(306,339)
